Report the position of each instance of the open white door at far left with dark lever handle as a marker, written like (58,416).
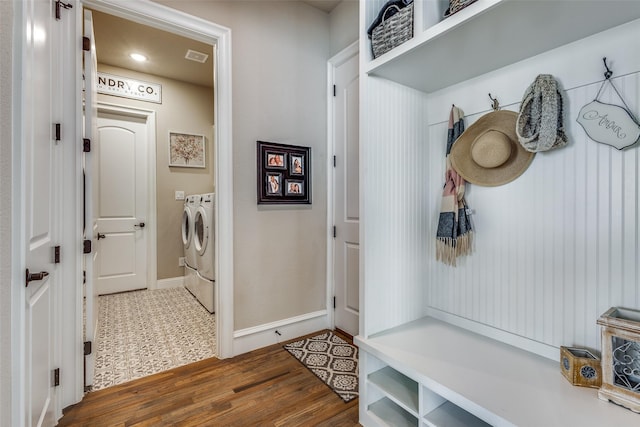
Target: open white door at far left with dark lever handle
(42,160)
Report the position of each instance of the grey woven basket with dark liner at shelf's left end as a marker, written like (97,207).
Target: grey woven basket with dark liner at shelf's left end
(393,31)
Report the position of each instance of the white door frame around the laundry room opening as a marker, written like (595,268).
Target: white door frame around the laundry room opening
(175,21)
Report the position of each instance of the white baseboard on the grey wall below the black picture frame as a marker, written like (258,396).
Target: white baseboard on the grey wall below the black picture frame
(255,337)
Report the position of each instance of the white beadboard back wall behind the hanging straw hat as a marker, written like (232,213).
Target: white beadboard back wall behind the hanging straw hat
(556,247)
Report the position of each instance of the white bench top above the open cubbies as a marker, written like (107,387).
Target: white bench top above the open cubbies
(498,383)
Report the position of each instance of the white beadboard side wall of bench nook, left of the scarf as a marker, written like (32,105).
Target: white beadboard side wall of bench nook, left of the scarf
(392,165)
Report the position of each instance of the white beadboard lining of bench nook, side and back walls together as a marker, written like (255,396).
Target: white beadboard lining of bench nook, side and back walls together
(554,249)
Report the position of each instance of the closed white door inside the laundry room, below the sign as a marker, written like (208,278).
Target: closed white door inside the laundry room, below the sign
(122,203)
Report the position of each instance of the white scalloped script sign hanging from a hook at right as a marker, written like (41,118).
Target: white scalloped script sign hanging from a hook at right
(609,124)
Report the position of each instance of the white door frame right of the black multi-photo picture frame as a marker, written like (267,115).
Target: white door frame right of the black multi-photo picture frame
(332,64)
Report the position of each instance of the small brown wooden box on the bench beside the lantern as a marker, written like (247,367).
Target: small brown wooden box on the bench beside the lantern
(580,367)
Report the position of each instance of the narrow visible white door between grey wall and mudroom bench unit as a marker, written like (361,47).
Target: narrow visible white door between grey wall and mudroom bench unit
(346,194)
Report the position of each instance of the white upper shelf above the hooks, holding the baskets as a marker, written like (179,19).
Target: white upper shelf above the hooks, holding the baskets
(490,34)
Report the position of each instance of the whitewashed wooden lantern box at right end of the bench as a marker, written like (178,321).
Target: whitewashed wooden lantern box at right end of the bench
(621,357)
